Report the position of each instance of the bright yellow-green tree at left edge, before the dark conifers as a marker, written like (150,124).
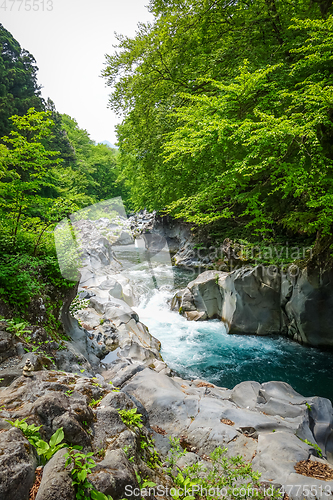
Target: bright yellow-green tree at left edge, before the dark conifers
(25,169)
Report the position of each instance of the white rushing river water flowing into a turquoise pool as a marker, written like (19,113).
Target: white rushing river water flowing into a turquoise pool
(204,349)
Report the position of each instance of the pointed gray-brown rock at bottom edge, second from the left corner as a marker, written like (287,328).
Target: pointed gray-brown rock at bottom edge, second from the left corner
(56,481)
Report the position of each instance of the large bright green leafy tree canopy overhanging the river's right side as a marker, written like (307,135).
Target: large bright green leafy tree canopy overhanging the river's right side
(228,113)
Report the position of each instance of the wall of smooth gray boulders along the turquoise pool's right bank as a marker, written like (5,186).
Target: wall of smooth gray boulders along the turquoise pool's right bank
(260,301)
